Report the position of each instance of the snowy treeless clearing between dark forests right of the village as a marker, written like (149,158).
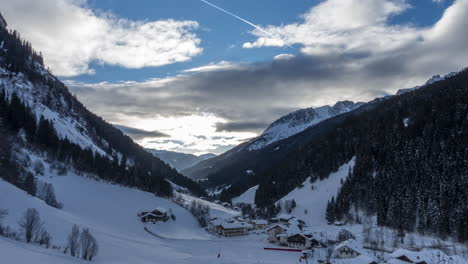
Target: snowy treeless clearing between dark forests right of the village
(313,197)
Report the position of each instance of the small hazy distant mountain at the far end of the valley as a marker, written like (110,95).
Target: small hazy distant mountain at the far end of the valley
(177,160)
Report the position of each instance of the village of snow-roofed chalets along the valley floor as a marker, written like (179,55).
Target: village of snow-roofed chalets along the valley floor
(288,233)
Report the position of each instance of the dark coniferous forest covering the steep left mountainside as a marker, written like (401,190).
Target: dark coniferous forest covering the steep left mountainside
(147,172)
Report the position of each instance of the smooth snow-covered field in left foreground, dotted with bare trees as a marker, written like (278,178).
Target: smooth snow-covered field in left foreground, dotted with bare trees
(110,212)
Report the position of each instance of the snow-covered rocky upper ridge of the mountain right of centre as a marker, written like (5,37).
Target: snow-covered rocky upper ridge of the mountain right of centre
(298,121)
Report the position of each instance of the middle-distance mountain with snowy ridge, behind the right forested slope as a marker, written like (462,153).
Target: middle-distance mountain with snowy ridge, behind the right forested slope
(243,163)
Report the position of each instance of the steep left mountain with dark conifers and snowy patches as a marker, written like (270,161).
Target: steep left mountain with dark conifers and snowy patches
(40,115)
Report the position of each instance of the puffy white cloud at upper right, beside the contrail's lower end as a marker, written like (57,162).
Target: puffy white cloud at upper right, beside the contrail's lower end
(343,25)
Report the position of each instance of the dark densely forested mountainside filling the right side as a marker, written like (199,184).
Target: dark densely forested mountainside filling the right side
(409,155)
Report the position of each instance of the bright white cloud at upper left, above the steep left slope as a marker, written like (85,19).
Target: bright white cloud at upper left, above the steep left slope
(72,36)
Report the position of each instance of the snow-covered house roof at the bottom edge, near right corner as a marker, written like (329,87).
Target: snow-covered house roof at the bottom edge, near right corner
(403,256)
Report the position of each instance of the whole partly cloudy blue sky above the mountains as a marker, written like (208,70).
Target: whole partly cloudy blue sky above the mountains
(184,75)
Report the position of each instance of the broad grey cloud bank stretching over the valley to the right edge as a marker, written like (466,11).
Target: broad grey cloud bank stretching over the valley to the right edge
(342,65)
